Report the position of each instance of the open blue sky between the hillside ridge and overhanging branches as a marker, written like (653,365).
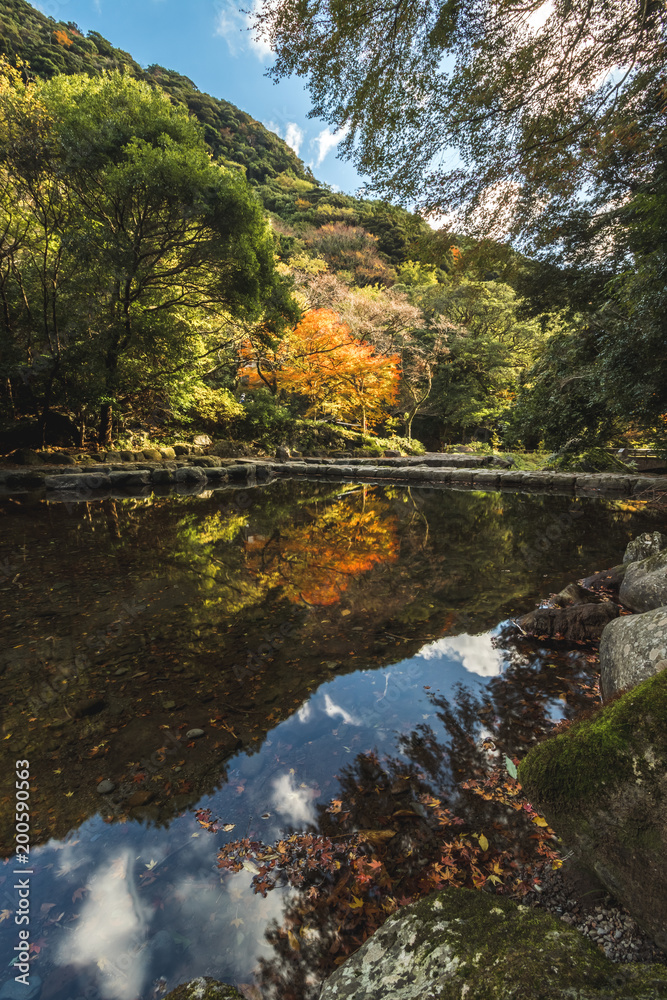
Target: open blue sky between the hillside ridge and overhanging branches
(207,40)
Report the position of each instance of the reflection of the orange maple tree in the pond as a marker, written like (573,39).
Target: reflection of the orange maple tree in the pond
(316,561)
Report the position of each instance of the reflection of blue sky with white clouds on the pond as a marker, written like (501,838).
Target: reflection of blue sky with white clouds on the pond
(154,904)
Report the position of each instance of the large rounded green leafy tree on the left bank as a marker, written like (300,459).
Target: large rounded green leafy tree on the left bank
(168,247)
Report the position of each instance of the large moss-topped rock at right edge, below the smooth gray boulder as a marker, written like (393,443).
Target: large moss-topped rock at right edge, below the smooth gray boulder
(602,785)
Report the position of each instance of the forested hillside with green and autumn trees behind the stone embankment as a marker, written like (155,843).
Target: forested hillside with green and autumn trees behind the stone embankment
(276,302)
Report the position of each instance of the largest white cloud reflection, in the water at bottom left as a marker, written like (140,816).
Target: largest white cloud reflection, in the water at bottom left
(111,929)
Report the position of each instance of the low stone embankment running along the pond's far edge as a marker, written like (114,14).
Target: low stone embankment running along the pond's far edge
(160,473)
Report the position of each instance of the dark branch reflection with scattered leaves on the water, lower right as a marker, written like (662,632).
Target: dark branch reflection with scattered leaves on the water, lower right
(443,811)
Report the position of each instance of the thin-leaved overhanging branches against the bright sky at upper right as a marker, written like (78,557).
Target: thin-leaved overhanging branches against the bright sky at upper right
(537,98)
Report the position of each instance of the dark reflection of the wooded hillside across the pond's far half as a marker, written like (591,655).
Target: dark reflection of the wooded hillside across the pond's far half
(172,593)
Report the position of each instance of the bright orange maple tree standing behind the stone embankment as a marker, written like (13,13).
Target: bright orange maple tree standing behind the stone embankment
(320,360)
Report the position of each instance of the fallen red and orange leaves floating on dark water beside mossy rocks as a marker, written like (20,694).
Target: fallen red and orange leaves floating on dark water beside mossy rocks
(351,875)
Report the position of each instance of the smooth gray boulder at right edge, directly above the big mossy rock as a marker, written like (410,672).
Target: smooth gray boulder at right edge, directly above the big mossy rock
(632,649)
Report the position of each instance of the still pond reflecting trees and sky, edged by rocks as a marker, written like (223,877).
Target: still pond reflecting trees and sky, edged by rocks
(184,673)
